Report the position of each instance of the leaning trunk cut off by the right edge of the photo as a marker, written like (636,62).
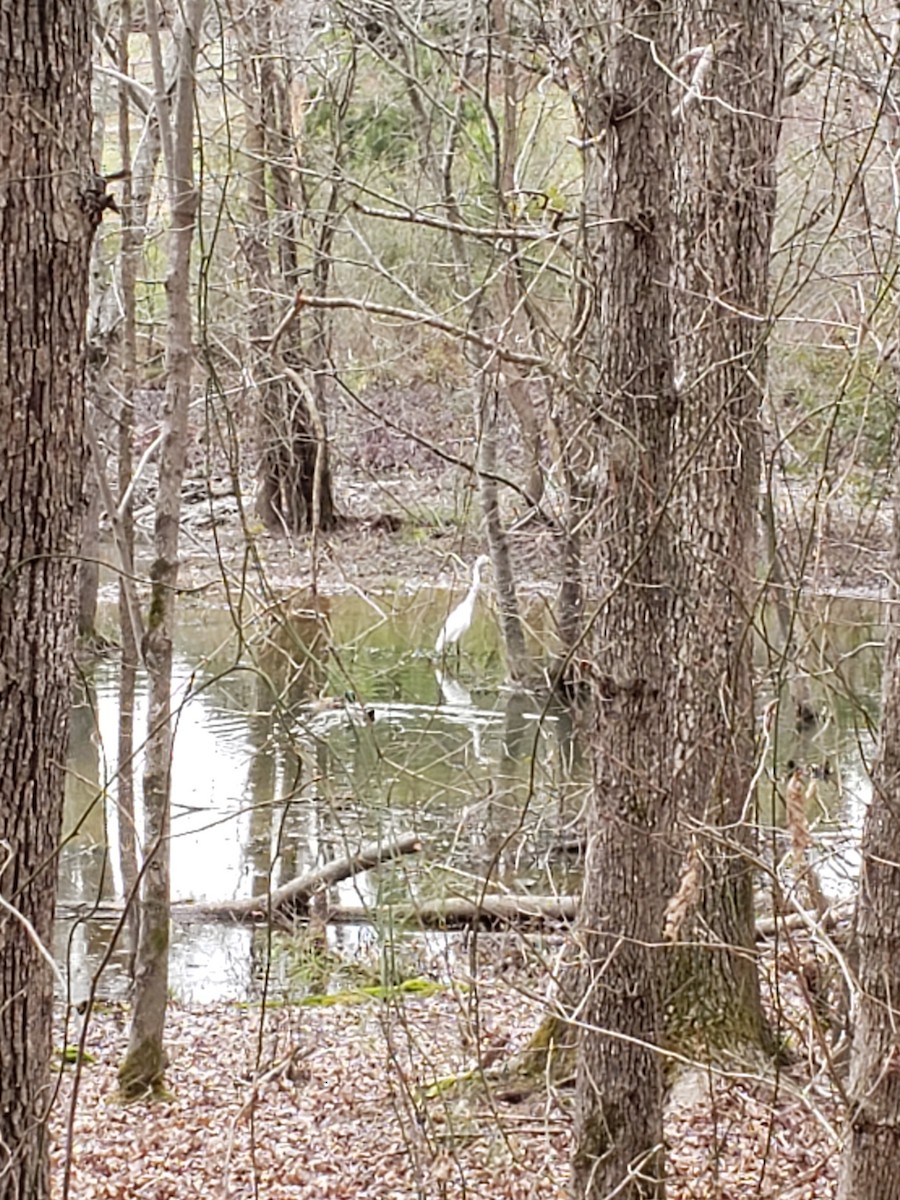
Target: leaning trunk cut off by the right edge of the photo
(872,1150)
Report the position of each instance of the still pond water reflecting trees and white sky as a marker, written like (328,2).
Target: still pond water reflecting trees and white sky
(269,782)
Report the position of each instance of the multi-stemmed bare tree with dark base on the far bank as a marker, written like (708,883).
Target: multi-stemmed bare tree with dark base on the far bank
(293,470)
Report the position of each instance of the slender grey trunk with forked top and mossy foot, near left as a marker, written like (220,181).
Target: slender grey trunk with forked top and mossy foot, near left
(143,1069)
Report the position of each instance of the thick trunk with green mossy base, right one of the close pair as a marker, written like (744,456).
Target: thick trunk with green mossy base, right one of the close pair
(724,205)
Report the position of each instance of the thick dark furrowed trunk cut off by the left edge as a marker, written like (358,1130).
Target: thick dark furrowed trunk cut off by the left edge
(50,205)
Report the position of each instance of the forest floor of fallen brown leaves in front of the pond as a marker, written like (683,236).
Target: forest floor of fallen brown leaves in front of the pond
(335,1103)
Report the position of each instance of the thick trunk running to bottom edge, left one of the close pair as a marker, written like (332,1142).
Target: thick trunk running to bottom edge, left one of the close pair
(619,1139)
